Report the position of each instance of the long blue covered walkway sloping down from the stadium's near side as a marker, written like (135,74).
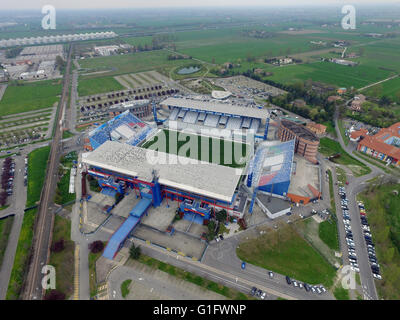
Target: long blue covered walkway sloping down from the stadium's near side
(118,238)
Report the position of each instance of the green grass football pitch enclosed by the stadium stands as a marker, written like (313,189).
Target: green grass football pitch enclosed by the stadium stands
(202,148)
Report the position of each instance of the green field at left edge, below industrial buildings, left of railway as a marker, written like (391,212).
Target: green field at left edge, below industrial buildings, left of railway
(30,96)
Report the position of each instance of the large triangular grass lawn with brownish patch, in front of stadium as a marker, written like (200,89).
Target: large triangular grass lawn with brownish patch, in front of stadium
(284,251)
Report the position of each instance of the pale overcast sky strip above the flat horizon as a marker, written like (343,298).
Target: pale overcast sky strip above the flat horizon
(93,4)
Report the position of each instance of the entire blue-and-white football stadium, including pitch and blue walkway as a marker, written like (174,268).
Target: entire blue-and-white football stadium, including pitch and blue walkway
(204,157)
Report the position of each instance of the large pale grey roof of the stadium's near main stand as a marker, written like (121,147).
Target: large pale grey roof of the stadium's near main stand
(208,179)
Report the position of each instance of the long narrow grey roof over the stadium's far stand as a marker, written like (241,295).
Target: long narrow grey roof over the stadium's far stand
(216,106)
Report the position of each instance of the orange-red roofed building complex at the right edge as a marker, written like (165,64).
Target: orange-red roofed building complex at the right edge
(385,145)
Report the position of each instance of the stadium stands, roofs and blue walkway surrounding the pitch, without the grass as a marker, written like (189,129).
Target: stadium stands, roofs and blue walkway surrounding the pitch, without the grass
(122,165)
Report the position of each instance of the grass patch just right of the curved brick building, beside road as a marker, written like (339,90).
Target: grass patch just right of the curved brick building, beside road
(329,147)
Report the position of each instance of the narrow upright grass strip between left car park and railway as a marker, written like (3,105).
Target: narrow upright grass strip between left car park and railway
(37,163)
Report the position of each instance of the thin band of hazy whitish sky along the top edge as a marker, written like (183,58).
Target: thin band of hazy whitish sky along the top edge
(136,4)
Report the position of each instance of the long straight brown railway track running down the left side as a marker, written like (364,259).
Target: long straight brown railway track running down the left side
(45,218)
